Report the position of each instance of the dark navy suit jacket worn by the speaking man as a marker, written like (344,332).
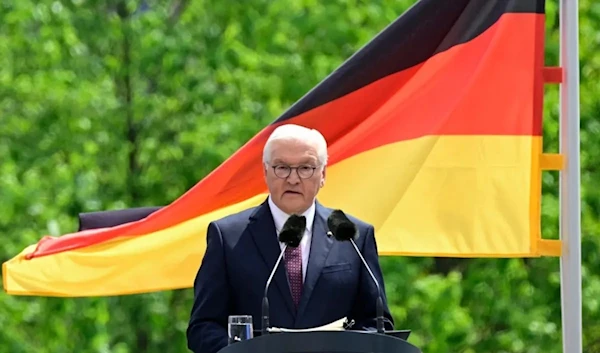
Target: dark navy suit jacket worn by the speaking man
(242,250)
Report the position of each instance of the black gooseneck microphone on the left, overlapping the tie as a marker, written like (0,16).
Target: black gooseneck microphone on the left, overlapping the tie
(291,234)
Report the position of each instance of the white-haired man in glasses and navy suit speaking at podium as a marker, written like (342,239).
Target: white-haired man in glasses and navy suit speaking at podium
(319,282)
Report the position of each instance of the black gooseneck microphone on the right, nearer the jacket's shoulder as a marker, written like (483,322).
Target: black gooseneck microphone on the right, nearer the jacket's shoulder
(343,229)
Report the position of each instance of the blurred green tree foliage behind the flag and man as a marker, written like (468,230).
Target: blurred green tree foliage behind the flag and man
(113,104)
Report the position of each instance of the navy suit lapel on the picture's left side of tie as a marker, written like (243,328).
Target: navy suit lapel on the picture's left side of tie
(264,234)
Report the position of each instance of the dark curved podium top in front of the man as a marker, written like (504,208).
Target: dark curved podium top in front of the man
(323,342)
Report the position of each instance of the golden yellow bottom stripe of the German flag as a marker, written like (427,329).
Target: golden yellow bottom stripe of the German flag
(469,196)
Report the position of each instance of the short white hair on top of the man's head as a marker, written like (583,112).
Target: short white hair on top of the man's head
(298,133)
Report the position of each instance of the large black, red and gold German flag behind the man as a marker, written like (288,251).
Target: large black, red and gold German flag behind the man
(434,132)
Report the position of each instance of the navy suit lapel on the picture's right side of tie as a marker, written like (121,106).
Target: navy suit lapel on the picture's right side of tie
(319,250)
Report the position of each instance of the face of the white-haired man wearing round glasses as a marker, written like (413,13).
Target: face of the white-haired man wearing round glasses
(295,192)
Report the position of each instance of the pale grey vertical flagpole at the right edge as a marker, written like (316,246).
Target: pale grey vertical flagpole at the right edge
(570,208)
